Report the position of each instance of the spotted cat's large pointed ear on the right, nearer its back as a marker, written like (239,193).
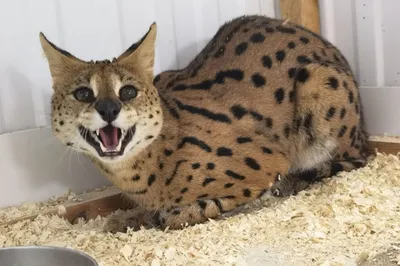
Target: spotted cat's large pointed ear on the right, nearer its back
(140,56)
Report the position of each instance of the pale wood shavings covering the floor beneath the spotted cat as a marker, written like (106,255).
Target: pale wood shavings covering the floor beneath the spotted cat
(344,221)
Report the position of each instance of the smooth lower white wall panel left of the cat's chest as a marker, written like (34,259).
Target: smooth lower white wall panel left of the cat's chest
(36,166)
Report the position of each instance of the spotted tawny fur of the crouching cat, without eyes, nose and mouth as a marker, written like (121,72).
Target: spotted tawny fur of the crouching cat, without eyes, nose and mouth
(266,104)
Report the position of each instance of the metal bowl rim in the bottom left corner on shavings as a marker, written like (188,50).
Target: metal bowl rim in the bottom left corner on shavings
(44,256)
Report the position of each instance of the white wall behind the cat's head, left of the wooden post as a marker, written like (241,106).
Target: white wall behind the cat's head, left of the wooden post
(34,165)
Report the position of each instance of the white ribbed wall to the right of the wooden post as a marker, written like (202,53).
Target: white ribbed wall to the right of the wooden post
(367,31)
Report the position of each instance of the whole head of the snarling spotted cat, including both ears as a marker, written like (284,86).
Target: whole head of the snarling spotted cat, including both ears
(107,109)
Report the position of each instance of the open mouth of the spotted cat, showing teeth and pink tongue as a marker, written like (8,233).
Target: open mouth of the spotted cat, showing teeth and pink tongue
(108,141)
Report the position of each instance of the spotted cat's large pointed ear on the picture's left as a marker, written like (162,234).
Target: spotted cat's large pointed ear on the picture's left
(59,60)
